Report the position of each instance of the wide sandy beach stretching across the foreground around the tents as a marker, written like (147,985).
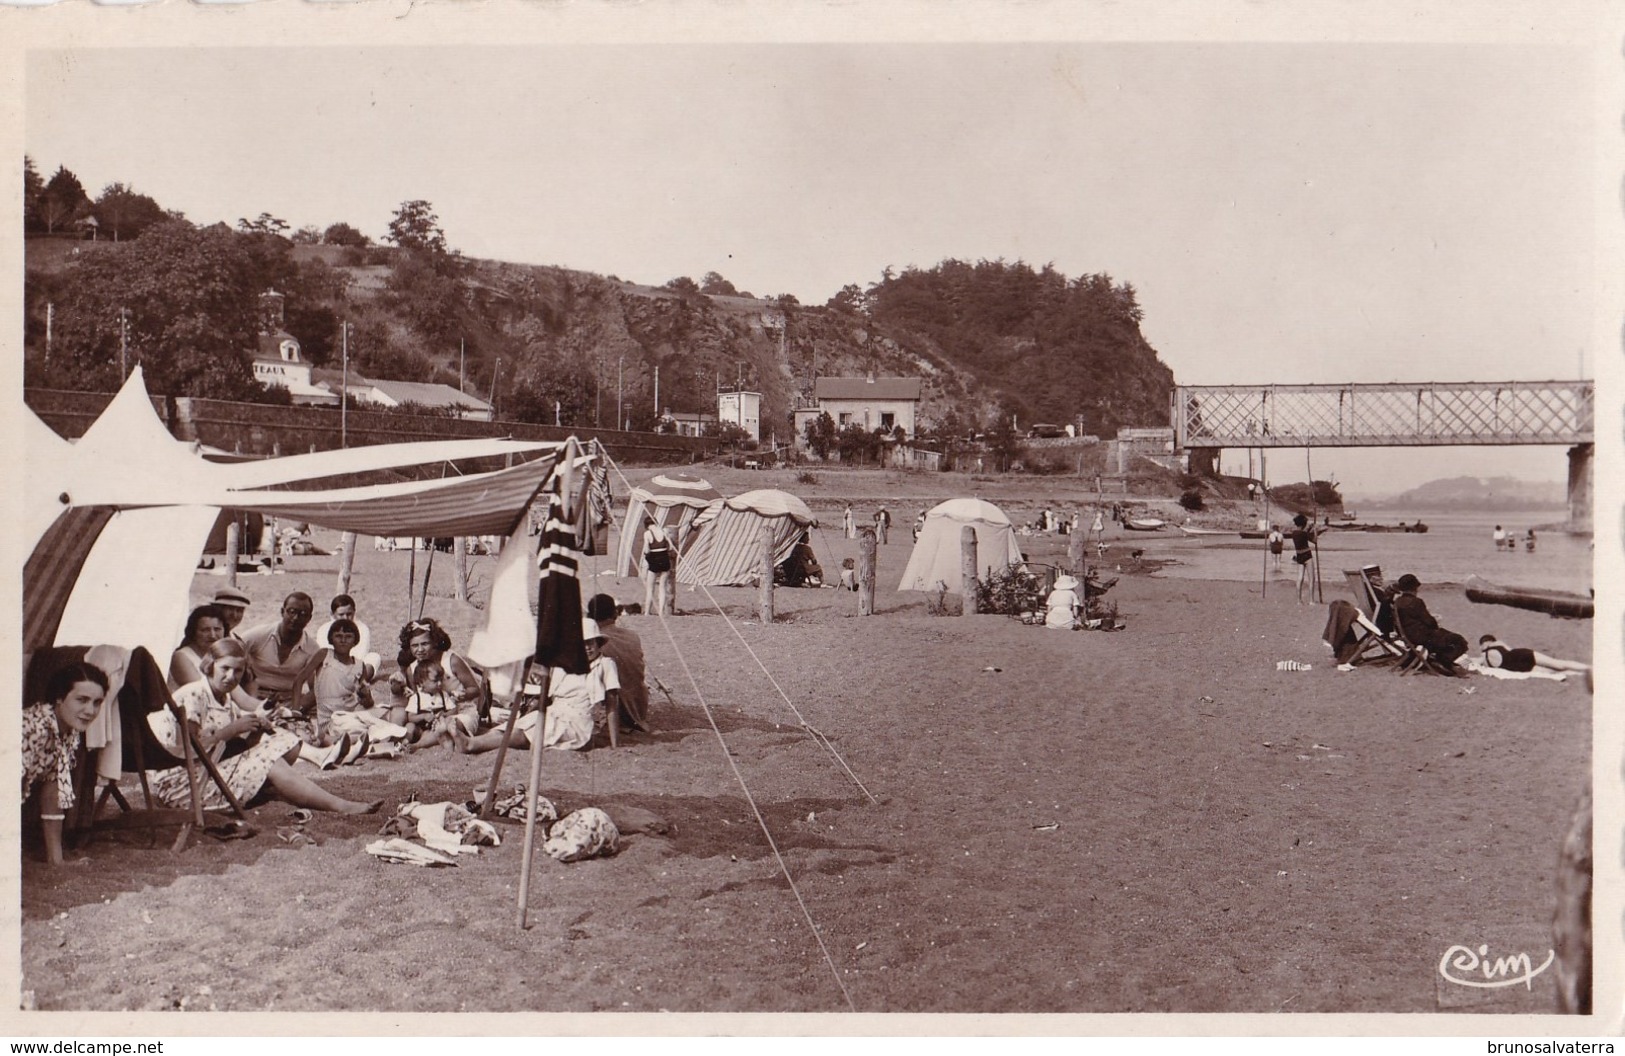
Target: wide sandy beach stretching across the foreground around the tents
(1013,820)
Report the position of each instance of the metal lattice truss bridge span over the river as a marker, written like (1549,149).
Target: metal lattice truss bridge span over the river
(1389,415)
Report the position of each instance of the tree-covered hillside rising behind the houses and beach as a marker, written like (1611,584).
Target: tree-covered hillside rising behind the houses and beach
(128,282)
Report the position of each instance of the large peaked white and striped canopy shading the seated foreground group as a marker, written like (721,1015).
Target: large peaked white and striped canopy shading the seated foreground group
(116,522)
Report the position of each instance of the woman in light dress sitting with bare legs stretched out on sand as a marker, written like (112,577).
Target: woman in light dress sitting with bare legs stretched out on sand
(267,760)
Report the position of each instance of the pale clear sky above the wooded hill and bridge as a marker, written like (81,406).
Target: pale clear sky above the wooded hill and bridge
(1286,212)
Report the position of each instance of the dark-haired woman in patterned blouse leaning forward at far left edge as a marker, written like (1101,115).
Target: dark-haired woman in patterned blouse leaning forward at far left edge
(51,740)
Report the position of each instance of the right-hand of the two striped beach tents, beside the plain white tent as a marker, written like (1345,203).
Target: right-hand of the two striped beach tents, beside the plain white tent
(729,539)
